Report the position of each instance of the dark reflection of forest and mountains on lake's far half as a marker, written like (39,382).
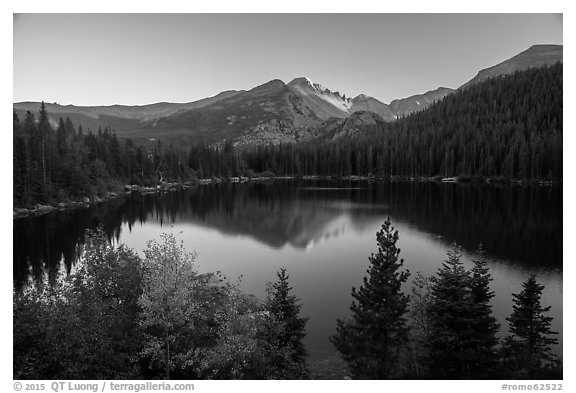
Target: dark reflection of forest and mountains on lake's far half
(521,225)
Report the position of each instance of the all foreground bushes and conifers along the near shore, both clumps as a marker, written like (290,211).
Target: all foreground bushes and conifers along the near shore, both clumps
(132,319)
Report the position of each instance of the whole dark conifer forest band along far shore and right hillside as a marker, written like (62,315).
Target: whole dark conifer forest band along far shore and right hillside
(507,127)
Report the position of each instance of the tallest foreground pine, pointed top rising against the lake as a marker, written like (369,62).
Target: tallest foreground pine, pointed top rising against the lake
(371,343)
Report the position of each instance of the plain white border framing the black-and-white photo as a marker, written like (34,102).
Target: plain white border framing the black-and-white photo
(304,6)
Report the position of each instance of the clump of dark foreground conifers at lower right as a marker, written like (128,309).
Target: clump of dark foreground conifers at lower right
(445,330)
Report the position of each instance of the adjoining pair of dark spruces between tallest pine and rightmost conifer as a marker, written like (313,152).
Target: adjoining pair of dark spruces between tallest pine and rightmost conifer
(462,340)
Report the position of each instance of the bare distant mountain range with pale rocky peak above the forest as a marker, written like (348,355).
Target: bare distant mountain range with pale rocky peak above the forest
(273,112)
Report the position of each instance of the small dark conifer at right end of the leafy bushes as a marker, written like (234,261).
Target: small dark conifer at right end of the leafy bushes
(284,307)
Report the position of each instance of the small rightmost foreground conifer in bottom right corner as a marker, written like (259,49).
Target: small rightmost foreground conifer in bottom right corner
(527,351)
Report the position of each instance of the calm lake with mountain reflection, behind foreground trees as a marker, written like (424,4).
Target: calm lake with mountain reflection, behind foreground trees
(323,233)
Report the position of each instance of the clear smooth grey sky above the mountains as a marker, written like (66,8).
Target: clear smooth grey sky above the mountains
(134,59)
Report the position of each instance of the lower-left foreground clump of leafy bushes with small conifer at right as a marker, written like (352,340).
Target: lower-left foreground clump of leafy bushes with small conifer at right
(121,316)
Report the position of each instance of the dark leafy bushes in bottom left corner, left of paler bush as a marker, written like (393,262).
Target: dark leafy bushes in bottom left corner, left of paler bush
(82,325)
